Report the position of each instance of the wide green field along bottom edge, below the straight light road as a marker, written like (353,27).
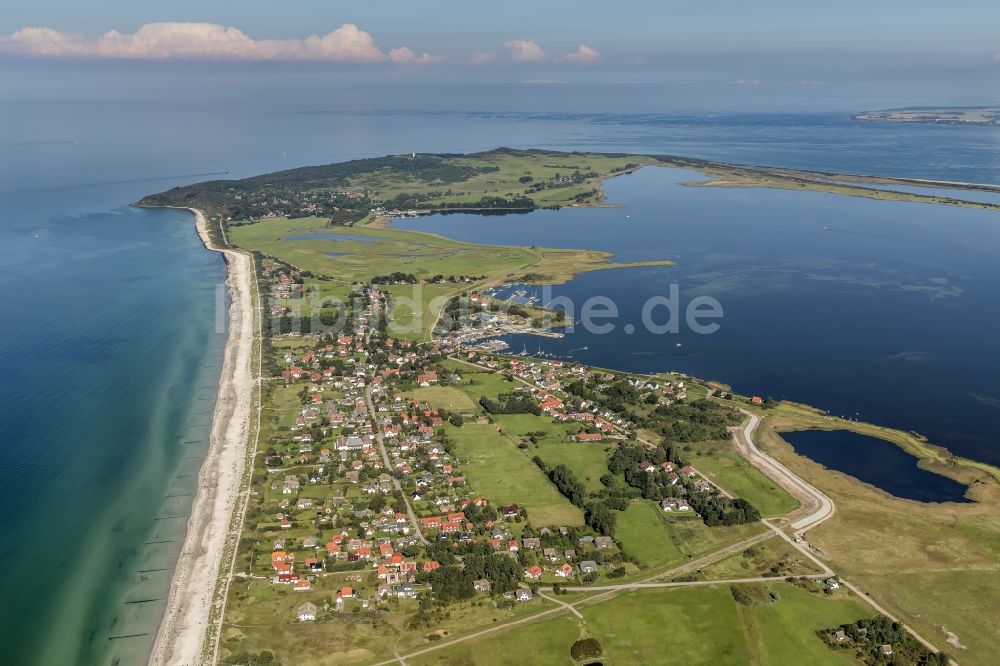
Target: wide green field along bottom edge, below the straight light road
(678,626)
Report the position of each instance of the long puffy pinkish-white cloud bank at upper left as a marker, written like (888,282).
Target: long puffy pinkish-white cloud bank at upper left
(348,43)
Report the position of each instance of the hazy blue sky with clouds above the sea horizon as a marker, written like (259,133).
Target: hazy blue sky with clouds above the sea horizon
(712,54)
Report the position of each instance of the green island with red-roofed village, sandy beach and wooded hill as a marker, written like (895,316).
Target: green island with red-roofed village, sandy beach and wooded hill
(390,482)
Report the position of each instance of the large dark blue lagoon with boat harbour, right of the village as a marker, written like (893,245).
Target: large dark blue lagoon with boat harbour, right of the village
(882,311)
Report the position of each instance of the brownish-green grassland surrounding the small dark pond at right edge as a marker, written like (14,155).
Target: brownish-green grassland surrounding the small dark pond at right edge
(935,565)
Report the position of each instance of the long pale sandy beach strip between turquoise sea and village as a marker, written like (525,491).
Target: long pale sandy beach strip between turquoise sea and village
(189,604)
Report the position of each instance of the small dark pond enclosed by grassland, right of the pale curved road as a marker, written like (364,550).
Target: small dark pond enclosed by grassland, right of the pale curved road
(876,461)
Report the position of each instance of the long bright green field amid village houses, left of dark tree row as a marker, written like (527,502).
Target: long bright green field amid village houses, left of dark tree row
(503,474)
